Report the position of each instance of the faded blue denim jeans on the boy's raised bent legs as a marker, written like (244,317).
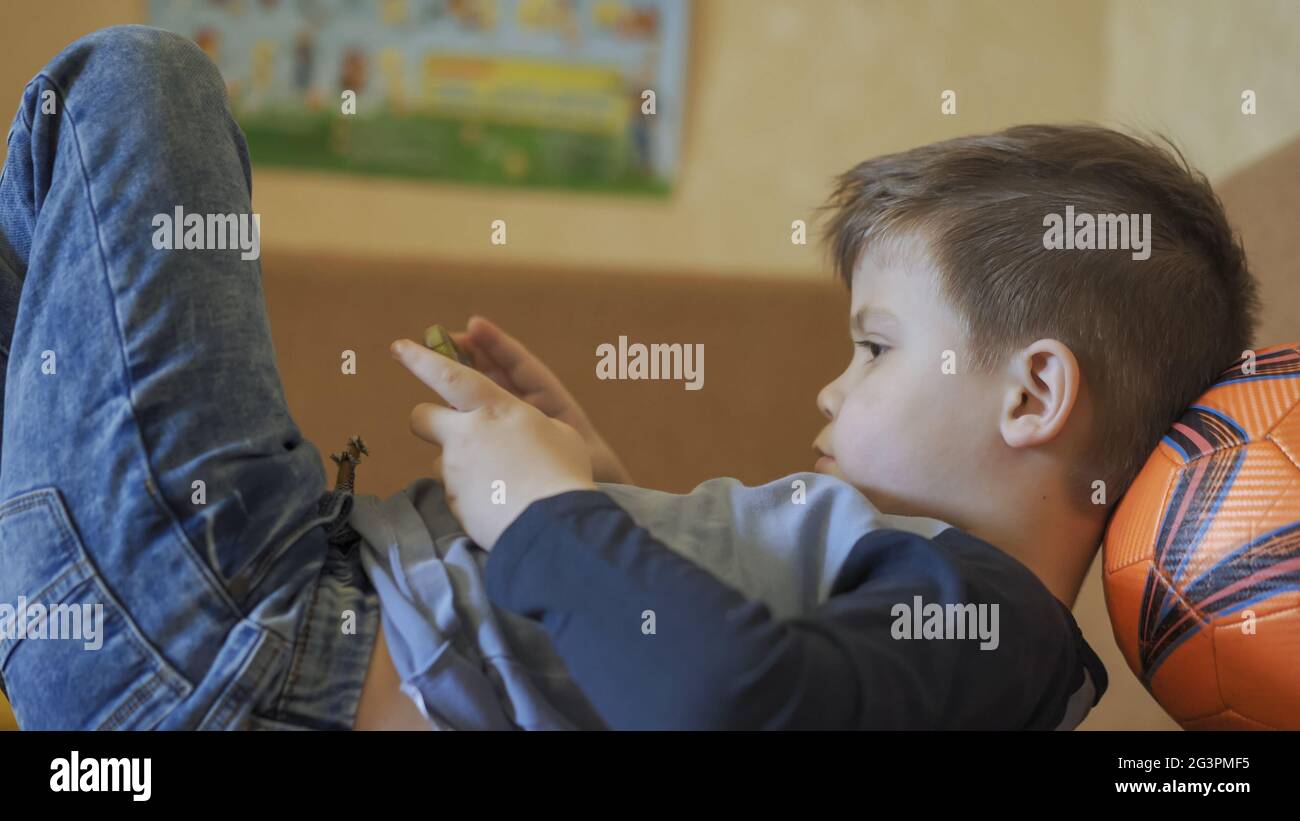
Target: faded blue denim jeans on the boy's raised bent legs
(132,376)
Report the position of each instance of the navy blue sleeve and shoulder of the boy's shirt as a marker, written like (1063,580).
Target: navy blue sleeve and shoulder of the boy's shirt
(599,584)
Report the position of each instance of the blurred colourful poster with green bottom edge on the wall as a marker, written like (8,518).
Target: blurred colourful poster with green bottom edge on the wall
(573,94)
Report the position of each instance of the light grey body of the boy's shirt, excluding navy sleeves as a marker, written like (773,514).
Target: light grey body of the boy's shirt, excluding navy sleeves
(471,666)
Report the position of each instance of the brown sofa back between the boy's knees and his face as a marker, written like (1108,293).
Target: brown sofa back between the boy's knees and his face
(770,346)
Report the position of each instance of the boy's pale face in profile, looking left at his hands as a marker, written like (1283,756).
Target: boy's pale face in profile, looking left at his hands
(908,432)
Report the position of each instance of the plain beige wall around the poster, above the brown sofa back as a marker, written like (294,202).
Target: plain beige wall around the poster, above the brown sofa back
(783,97)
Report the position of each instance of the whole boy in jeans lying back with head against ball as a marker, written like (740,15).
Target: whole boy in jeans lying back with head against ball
(227,615)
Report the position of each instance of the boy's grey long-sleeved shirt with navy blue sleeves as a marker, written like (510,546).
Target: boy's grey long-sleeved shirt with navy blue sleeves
(730,607)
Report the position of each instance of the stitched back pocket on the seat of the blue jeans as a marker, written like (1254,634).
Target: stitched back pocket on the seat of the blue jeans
(71,654)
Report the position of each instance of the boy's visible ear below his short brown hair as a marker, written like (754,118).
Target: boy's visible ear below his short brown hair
(1042,388)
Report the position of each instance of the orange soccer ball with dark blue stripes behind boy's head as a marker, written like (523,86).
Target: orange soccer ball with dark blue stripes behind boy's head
(1203,555)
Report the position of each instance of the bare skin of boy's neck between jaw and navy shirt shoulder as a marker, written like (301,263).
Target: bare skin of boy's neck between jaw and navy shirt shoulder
(1052,538)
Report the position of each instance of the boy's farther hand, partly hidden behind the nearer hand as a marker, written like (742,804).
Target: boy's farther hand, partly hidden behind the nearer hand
(510,364)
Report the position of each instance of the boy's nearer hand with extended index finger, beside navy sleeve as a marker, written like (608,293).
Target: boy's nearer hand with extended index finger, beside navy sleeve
(488,436)
